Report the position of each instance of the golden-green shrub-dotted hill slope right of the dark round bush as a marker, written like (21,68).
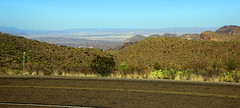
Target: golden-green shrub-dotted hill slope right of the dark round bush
(180,54)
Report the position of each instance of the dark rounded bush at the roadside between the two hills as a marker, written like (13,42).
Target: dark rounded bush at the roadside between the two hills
(103,65)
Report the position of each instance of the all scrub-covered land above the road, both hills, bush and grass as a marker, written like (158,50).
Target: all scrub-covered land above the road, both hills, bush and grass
(152,58)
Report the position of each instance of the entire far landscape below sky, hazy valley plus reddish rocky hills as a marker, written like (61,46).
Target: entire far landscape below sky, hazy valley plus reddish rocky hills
(116,39)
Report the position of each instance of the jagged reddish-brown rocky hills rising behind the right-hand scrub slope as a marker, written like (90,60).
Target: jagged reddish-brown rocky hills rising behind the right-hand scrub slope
(225,33)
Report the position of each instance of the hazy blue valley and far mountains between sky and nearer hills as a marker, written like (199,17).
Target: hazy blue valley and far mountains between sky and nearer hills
(97,38)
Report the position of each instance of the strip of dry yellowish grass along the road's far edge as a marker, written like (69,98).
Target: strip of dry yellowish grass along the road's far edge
(171,74)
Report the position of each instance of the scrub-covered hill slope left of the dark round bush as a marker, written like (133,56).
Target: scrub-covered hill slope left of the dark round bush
(44,57)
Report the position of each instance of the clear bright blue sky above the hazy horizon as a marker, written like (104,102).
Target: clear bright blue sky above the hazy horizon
(70,14)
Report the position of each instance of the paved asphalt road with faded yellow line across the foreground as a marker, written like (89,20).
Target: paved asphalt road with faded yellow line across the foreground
(91,92)
